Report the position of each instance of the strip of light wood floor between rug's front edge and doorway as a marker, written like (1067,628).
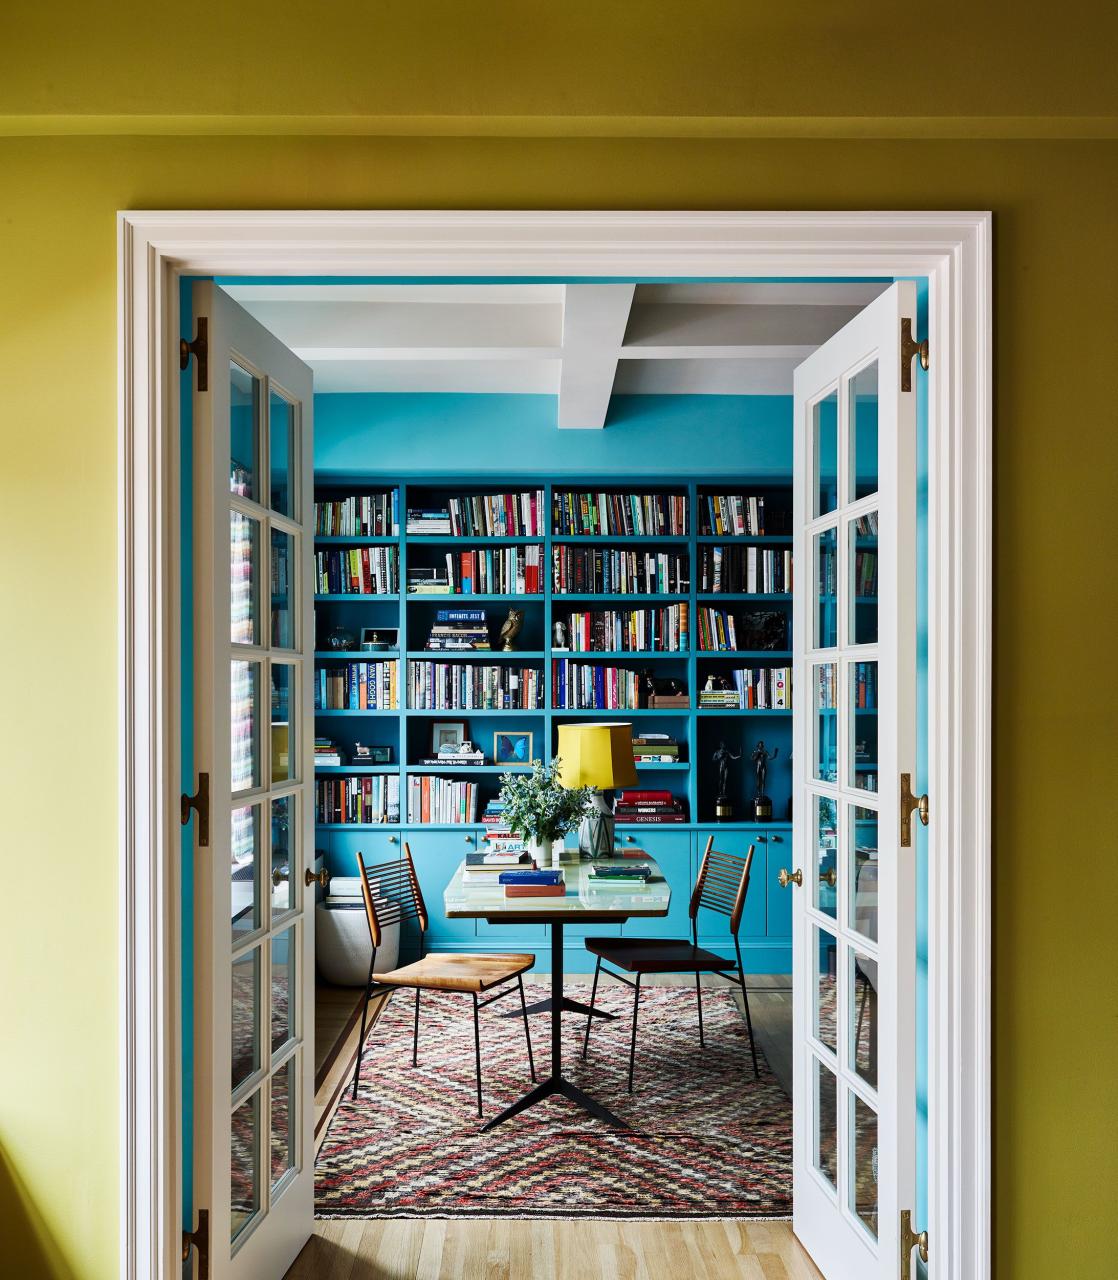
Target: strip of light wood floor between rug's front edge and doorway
(512,1250)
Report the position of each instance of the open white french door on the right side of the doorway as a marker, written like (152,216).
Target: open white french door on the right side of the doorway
(855,737)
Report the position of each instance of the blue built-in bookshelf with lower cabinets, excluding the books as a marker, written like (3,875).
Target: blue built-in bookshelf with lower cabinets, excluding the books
(763,629)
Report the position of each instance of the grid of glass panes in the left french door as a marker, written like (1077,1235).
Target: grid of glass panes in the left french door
(267,653)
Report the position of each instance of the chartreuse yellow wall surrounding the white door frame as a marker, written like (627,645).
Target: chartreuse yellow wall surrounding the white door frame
(843,77)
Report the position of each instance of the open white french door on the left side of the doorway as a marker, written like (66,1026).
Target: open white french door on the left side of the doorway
(254,738)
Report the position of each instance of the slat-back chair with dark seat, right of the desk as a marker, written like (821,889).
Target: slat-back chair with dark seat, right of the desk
(722,886)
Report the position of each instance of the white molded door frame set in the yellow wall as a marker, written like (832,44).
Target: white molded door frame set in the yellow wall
(953,250)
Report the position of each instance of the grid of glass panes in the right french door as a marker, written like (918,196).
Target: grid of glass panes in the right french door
(842,806)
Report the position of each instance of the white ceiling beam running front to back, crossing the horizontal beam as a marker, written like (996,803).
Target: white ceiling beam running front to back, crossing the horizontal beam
(595,321)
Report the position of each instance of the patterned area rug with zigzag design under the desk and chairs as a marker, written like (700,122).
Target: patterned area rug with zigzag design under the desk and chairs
(706,1139)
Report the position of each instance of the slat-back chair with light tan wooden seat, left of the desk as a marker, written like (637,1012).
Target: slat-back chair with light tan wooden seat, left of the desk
(393,895)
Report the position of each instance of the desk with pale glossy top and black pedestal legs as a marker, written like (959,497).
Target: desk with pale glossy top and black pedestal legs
(585,903)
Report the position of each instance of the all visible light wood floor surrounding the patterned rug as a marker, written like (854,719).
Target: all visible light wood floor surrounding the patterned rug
(582,1250)
